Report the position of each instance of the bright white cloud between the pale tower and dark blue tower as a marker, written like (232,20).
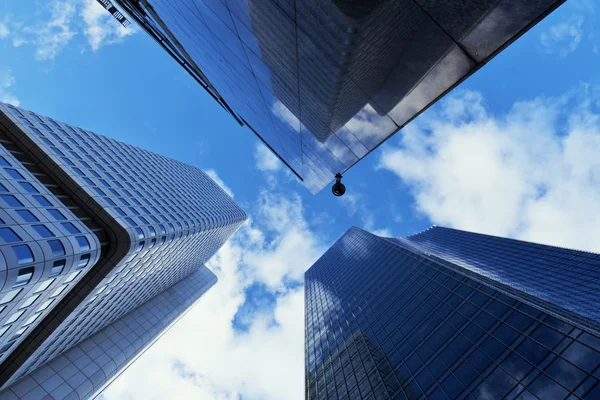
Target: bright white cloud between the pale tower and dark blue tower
(203,356)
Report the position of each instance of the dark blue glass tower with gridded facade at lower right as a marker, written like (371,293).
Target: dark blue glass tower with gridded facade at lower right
(448,314)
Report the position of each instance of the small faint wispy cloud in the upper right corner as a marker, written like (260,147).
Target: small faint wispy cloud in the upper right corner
(564,37)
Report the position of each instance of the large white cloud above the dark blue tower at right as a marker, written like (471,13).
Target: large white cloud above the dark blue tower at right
(532,173)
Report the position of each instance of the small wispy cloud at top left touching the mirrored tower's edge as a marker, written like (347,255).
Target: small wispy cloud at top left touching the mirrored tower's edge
(101,28)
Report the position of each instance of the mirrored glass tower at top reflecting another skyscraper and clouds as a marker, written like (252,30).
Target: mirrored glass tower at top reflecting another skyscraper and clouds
(324,82)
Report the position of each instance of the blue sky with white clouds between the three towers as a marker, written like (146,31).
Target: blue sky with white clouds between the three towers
(513,151)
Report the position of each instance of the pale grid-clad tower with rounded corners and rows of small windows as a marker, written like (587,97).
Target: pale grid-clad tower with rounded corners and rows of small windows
(102,248)
